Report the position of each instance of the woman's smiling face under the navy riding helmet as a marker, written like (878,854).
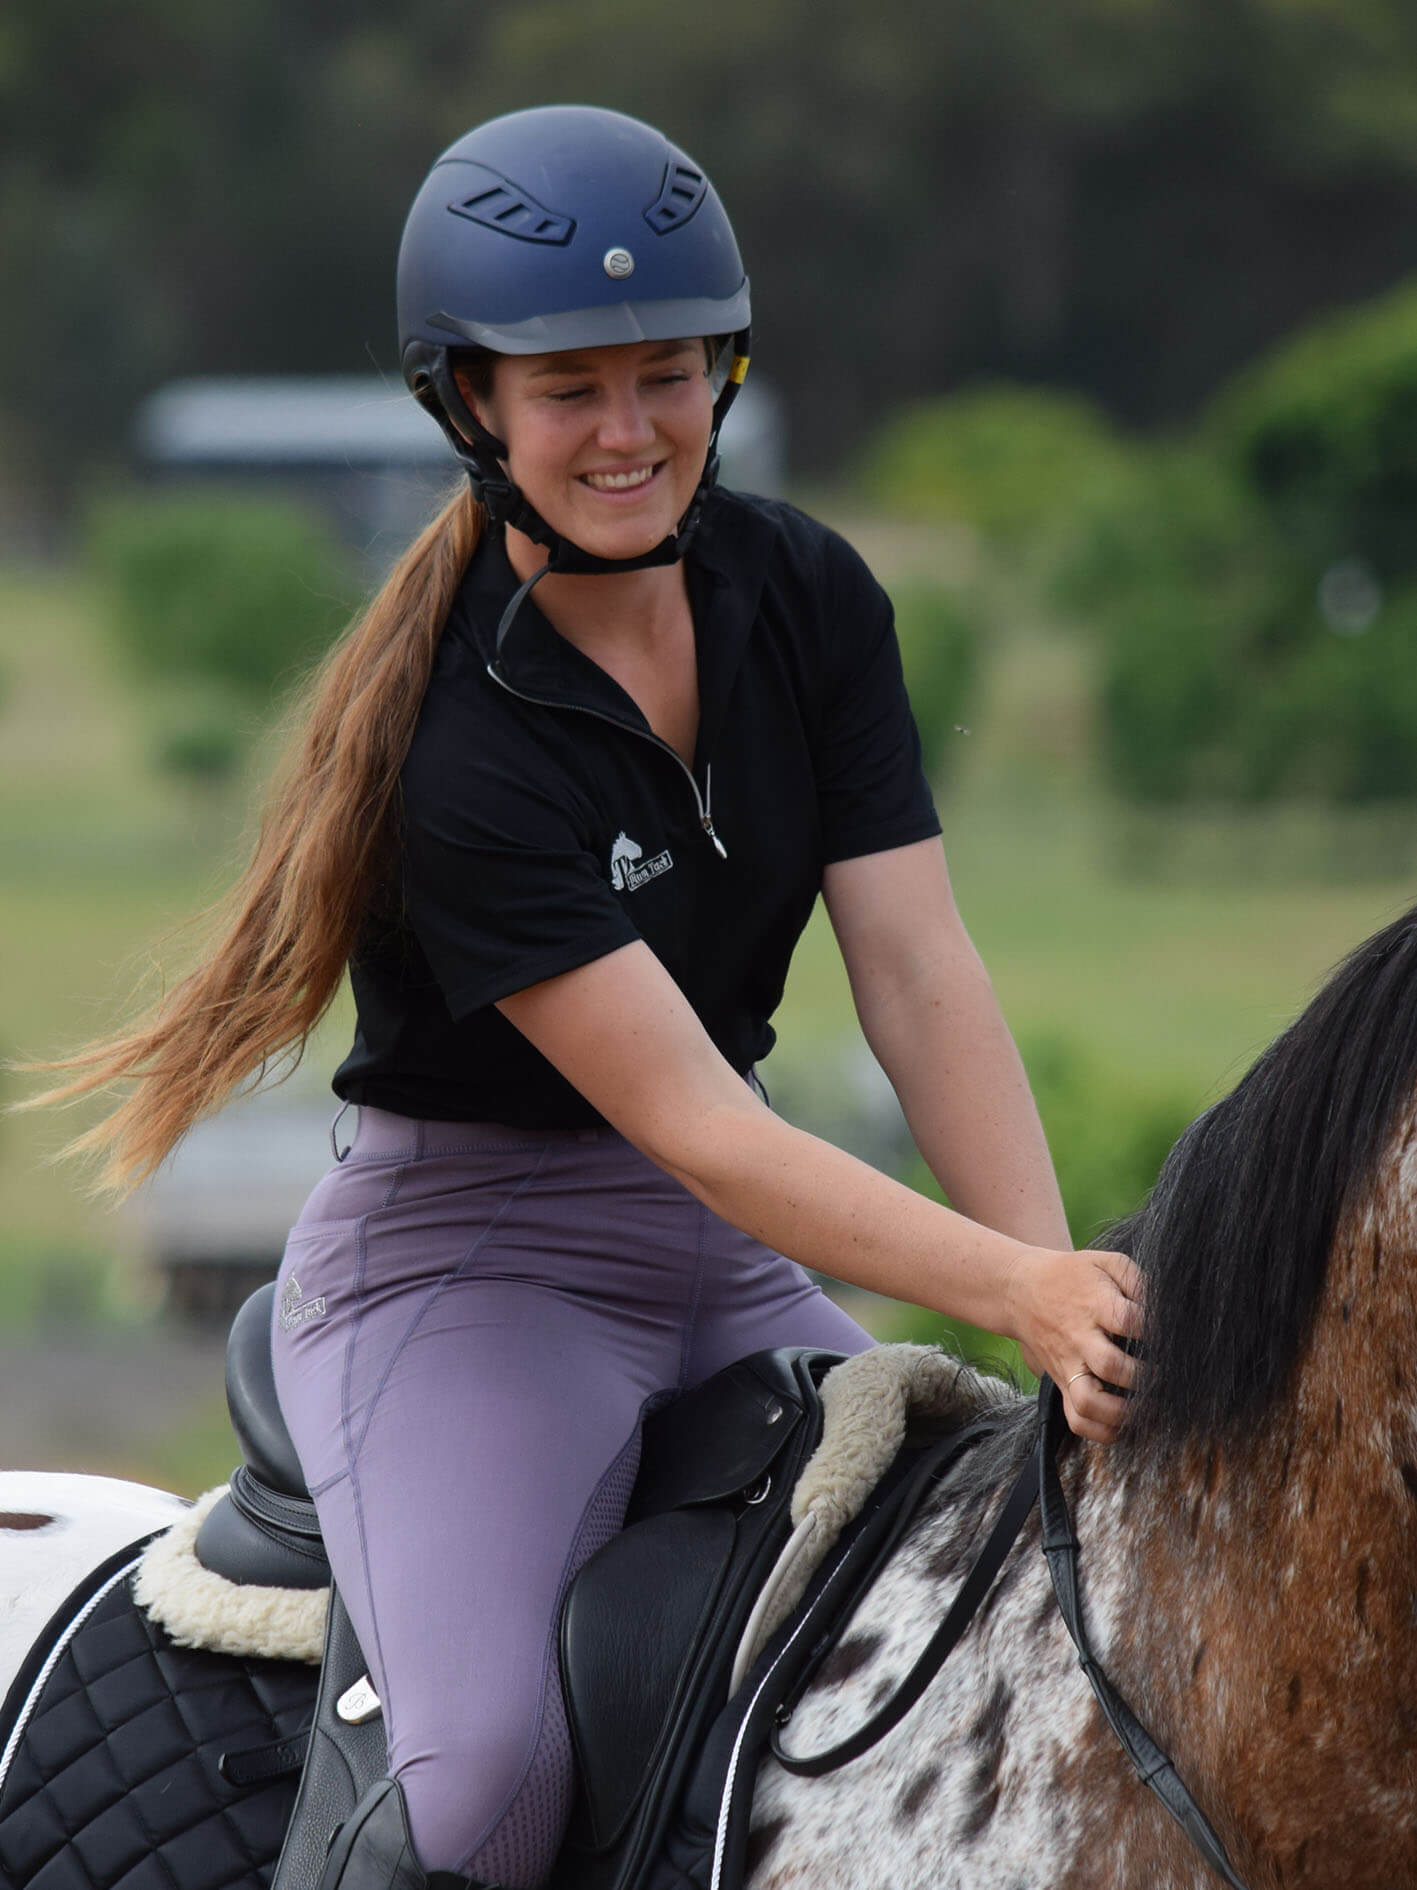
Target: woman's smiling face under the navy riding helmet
(606,443)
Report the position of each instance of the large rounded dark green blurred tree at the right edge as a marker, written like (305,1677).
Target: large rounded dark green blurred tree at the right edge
(1255,591)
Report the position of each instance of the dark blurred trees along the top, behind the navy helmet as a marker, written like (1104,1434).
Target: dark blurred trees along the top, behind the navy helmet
(1121,198)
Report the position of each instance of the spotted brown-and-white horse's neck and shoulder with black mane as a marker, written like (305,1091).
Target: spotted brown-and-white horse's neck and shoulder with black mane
(1248,1549)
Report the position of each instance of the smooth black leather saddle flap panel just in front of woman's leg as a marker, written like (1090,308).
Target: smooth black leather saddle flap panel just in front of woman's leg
(628,1636)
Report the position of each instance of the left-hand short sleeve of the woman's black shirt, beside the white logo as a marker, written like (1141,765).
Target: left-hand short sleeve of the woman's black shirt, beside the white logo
(502,887)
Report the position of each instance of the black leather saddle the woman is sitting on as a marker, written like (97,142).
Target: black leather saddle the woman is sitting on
(649,1628)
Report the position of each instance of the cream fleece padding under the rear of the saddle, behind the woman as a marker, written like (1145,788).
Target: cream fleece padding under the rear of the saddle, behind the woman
(201,1609)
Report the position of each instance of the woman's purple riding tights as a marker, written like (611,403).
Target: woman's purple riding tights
(469,1322)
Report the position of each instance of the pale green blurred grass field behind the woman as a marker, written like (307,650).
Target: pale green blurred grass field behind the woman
(1170,948)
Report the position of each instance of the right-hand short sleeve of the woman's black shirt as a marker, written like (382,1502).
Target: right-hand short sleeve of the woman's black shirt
(870,774)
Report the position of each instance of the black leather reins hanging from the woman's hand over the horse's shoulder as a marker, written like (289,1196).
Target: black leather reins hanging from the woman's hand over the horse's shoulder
(1040,1483)
